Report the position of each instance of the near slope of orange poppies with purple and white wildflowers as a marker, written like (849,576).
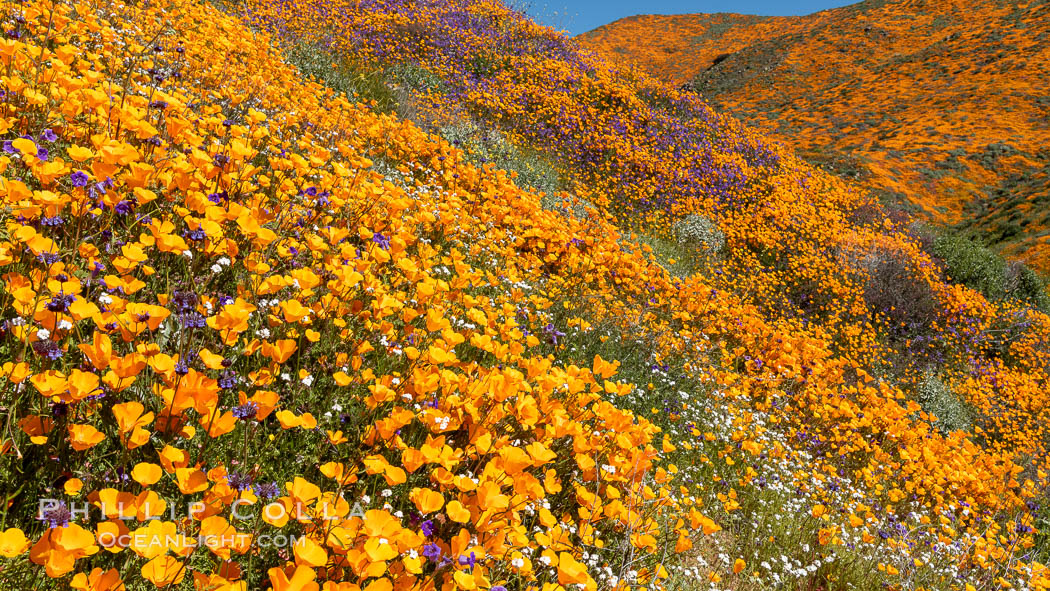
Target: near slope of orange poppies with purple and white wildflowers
(347,295)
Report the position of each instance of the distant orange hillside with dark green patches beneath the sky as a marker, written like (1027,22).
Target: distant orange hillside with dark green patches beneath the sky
(941,105)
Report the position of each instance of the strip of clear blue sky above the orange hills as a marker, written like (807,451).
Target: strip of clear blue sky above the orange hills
(580,16)
